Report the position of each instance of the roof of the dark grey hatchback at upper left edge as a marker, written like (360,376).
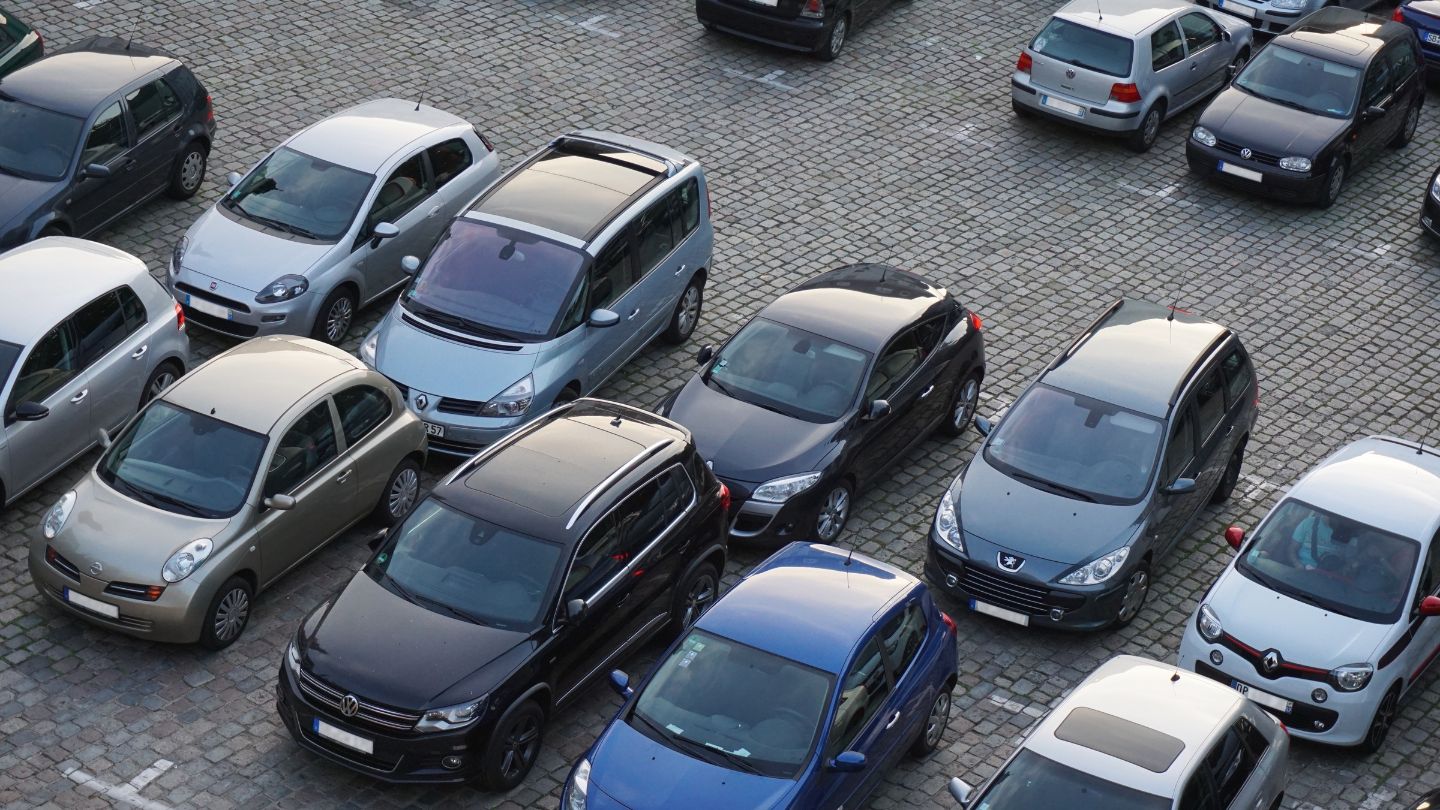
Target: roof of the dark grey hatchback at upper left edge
(74,80)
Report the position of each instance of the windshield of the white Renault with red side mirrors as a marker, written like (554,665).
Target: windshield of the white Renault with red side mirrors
(1334,563)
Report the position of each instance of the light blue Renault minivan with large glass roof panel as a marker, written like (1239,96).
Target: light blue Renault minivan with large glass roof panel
(548,285)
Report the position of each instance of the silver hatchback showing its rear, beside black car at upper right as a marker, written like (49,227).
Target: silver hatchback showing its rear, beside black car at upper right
(1128,67)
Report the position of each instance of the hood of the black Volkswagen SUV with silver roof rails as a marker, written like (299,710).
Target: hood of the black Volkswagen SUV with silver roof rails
(368,641)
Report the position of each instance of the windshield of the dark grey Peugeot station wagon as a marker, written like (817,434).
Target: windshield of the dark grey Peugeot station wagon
(1076,446)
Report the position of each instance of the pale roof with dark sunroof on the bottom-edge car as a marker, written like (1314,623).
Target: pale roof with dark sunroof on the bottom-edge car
(1166,713)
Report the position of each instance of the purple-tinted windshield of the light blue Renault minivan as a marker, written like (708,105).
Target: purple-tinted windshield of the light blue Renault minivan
(495,282)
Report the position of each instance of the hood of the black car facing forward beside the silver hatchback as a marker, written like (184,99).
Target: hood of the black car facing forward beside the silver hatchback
(1242,119)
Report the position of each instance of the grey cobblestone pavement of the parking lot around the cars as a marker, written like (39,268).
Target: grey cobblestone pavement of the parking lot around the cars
(904,151)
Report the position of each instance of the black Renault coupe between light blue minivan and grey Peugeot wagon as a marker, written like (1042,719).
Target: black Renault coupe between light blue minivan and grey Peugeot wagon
(822,391)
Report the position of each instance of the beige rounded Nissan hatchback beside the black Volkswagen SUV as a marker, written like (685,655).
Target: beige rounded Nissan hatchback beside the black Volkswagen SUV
(231,478)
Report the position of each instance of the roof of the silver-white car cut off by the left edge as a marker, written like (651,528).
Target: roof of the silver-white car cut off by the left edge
(51,279)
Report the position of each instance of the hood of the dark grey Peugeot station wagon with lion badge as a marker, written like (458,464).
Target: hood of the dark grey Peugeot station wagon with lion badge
(1016,517)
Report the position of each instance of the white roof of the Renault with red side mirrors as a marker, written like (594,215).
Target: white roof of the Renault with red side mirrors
(1385,482)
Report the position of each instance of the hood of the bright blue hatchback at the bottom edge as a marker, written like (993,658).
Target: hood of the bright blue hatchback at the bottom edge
(643,775)
